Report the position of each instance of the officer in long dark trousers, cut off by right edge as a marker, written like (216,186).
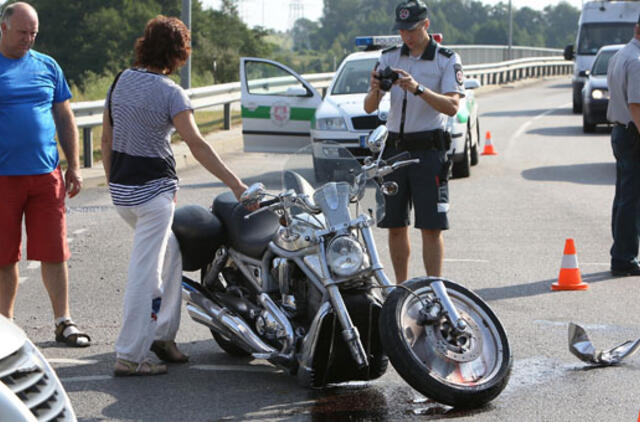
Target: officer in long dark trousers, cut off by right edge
(623,78)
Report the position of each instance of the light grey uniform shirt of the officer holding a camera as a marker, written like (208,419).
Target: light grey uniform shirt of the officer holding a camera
(438,69)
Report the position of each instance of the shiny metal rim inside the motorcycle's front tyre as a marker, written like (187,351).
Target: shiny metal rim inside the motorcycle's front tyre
(463,361)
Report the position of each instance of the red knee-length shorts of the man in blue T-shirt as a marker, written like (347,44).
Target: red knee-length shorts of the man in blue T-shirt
(40,198)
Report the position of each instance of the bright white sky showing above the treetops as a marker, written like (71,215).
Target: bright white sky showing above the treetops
(276,13)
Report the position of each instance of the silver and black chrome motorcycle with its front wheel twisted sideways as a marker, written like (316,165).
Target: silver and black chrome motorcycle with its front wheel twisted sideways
(299,283)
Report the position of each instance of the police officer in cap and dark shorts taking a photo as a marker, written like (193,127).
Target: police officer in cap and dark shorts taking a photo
(428,89)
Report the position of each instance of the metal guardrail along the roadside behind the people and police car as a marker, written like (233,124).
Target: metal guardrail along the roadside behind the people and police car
(89,113)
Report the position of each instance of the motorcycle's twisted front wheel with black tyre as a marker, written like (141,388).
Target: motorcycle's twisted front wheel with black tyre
(463,371)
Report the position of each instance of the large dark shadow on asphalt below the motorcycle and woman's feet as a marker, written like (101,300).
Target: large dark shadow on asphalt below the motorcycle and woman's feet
(216,387)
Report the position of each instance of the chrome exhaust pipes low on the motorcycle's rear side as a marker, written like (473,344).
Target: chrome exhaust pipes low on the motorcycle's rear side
(204,311)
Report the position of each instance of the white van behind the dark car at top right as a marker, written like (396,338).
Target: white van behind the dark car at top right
(601,23)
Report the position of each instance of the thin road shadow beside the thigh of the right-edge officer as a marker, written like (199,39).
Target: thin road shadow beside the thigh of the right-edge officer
(588,174)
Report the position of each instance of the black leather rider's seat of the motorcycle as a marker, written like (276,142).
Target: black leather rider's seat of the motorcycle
(249,237)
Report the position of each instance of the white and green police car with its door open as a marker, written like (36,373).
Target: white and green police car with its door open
(281,111)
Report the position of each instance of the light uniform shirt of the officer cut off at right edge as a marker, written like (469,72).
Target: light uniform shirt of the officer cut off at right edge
(623,80)
